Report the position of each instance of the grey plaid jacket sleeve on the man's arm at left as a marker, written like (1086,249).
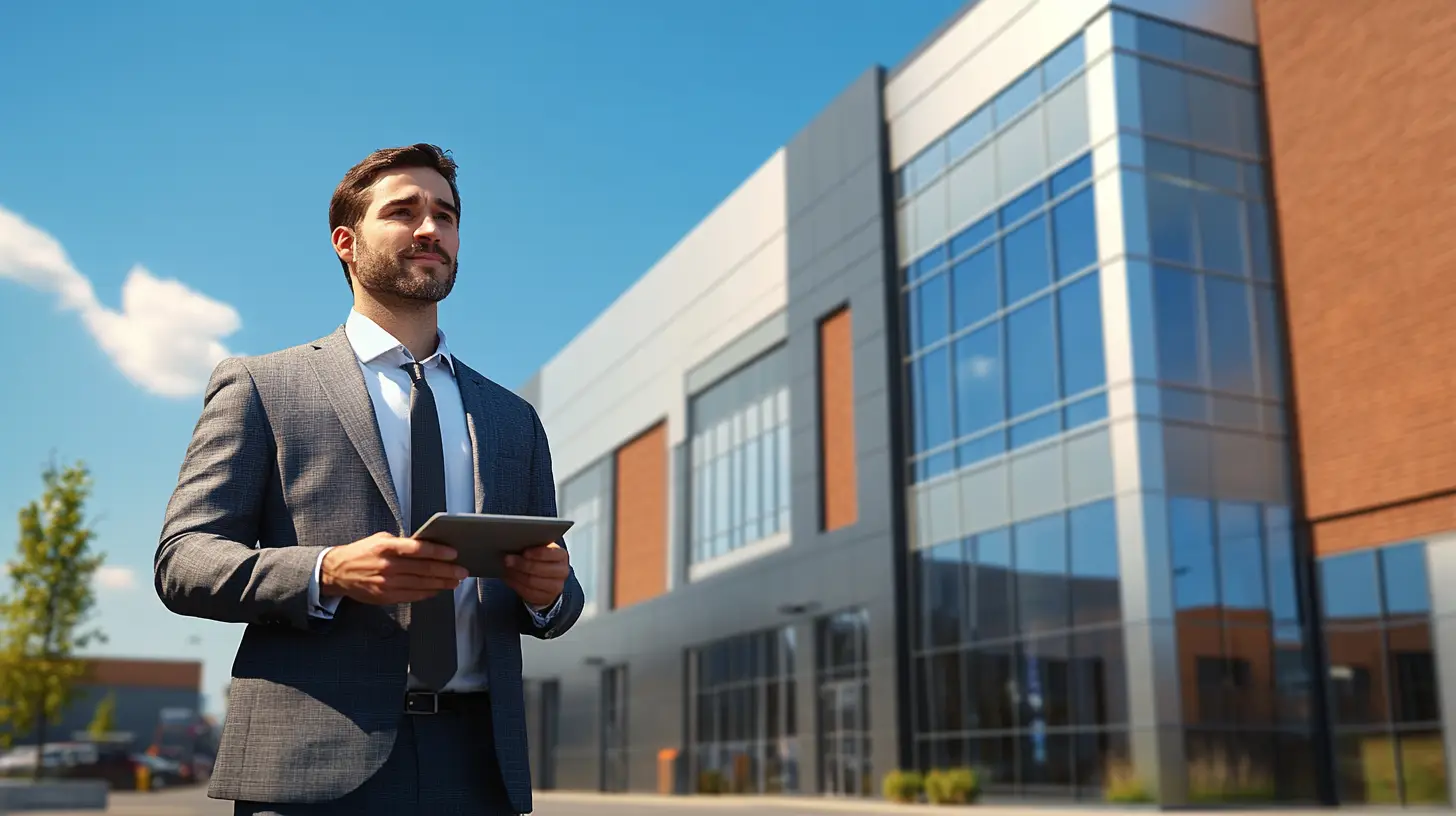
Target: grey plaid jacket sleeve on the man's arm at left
(207,563)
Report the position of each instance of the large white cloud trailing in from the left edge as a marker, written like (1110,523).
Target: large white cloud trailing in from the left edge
(167,337)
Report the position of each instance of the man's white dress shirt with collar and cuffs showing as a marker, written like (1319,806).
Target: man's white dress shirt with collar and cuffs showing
(382,359)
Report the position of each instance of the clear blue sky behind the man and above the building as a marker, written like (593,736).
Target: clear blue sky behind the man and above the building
(199,145)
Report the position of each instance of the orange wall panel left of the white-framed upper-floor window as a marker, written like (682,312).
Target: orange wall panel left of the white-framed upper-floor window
(640,521)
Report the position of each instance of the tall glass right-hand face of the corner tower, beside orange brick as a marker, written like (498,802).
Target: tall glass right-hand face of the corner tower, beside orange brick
(1196,152)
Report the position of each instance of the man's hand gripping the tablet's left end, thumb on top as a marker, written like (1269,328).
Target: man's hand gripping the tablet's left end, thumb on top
(385,569)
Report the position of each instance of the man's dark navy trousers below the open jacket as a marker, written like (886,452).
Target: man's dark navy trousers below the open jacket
(443,766)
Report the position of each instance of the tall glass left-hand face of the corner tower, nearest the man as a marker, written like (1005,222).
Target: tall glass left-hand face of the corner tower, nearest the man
(1018,648)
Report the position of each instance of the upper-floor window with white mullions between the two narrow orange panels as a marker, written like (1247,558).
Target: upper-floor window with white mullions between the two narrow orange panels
(740,460)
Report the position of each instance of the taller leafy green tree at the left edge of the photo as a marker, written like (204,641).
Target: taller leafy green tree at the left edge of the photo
(44,617)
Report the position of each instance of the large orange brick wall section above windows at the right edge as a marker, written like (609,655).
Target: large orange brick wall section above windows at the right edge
(1362,110)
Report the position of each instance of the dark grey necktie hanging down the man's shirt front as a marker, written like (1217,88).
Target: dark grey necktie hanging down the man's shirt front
(432,621)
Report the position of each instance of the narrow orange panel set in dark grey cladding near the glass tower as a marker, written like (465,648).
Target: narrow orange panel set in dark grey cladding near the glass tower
(838,422)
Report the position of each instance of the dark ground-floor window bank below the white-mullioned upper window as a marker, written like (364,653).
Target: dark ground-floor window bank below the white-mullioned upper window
(745,715)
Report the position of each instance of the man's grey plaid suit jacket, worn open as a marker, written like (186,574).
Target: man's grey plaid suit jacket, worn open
(288,460)
